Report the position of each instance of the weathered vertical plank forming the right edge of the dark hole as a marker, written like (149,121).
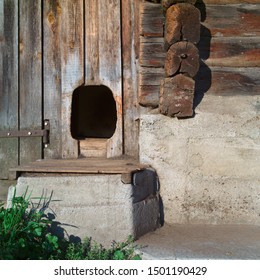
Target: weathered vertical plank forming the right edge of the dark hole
(110,65)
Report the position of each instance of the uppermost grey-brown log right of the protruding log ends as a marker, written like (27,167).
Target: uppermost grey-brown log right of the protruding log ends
(232,20)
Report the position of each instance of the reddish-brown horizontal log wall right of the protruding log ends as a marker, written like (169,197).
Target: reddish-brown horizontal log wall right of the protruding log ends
(229,48)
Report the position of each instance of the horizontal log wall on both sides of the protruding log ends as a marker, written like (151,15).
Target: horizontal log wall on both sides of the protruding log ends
(229,49)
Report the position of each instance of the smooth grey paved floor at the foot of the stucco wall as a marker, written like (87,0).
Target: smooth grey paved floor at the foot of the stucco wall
(186,242)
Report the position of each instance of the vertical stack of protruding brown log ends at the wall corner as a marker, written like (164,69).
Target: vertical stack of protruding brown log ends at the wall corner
(182,33)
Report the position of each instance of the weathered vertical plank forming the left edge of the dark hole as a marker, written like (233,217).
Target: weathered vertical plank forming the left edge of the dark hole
(72,68)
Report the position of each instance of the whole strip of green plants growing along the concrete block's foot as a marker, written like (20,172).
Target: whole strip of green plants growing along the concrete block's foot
(24,234)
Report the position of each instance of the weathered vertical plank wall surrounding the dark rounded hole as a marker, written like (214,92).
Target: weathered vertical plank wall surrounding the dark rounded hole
(50,48)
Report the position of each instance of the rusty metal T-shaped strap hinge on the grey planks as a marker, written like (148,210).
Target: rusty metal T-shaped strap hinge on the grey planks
(44,133)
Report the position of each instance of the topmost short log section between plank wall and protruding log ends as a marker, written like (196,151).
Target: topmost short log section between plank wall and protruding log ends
(151,20)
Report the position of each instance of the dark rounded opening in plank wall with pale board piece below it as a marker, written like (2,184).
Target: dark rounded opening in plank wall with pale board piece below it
(93,119)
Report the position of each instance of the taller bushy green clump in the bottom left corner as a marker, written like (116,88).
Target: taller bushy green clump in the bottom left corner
(24,231)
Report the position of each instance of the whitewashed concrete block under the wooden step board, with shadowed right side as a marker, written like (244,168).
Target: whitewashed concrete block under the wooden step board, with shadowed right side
(97,206)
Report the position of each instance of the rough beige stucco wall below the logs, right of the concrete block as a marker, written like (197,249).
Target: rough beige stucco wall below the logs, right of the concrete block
(209,165)
